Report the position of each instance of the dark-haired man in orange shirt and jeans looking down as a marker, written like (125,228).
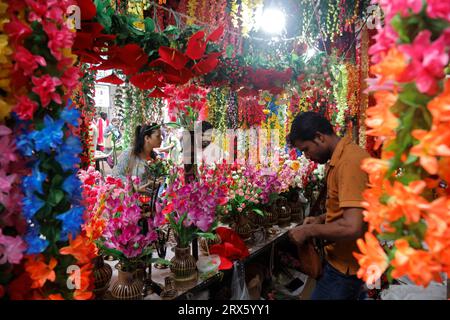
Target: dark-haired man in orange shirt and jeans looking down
(343,222)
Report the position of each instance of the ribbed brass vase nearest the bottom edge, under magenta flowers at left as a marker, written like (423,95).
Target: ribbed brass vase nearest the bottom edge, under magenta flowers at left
(128,286)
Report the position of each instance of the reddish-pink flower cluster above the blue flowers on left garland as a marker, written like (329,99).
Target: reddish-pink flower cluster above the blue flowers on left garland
(28,63)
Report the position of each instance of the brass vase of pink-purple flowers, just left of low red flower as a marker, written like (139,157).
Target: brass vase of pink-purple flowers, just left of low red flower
(183,265)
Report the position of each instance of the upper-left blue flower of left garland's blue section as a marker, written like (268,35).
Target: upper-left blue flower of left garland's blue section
(51,136)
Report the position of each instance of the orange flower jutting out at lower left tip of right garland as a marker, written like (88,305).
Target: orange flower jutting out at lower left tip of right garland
(373,260)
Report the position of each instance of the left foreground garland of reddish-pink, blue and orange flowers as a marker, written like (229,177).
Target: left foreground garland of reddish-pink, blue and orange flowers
(43,79)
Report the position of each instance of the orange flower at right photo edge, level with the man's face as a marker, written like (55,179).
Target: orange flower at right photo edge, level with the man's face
(431,144)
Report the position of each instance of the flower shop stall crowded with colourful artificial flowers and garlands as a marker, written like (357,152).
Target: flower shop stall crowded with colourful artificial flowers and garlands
(377,70)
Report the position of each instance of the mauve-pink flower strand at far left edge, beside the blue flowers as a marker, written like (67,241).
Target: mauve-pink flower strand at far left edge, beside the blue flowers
(11,248)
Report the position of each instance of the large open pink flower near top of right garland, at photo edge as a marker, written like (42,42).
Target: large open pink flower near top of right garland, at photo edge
(428,60)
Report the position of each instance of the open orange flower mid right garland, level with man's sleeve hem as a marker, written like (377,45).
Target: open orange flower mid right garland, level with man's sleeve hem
(405,201)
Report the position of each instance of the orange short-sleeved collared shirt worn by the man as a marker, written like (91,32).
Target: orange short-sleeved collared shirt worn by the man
(346,182)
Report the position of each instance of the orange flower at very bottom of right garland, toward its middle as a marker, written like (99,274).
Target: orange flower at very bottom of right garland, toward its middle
(418,265)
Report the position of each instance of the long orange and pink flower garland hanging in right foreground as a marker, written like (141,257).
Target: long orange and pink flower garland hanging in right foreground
(406,203)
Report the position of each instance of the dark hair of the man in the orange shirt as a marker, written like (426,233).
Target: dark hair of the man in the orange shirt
(306,125)
